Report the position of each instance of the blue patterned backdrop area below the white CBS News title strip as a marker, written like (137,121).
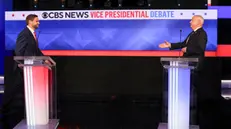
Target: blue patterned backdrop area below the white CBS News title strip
(109,34)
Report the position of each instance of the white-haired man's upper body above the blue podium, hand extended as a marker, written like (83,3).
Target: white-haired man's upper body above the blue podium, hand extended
(195,43)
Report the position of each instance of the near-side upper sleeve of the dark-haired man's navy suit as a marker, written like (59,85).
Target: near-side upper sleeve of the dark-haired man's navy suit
(21,45)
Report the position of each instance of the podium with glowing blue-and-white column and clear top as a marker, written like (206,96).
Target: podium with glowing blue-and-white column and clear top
(179,70)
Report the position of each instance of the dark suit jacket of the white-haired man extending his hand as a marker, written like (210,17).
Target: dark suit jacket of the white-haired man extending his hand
(196,44)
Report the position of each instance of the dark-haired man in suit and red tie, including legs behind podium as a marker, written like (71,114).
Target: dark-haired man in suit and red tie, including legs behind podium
(13,100)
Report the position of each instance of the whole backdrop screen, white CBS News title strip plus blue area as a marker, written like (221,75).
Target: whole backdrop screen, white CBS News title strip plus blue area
(142,32)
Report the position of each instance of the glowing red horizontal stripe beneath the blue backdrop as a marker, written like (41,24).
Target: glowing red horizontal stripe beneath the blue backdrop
(222,51)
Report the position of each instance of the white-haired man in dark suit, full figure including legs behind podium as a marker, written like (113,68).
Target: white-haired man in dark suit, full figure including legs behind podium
(194,46)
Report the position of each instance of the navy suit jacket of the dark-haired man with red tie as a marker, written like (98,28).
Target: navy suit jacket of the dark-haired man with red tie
(26,45)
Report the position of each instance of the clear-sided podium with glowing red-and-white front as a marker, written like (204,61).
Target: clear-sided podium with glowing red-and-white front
(40,92)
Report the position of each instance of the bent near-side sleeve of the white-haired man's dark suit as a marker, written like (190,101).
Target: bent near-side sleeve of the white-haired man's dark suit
(200,45)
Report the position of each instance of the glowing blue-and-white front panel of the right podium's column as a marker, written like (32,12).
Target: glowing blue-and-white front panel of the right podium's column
(178,97)
